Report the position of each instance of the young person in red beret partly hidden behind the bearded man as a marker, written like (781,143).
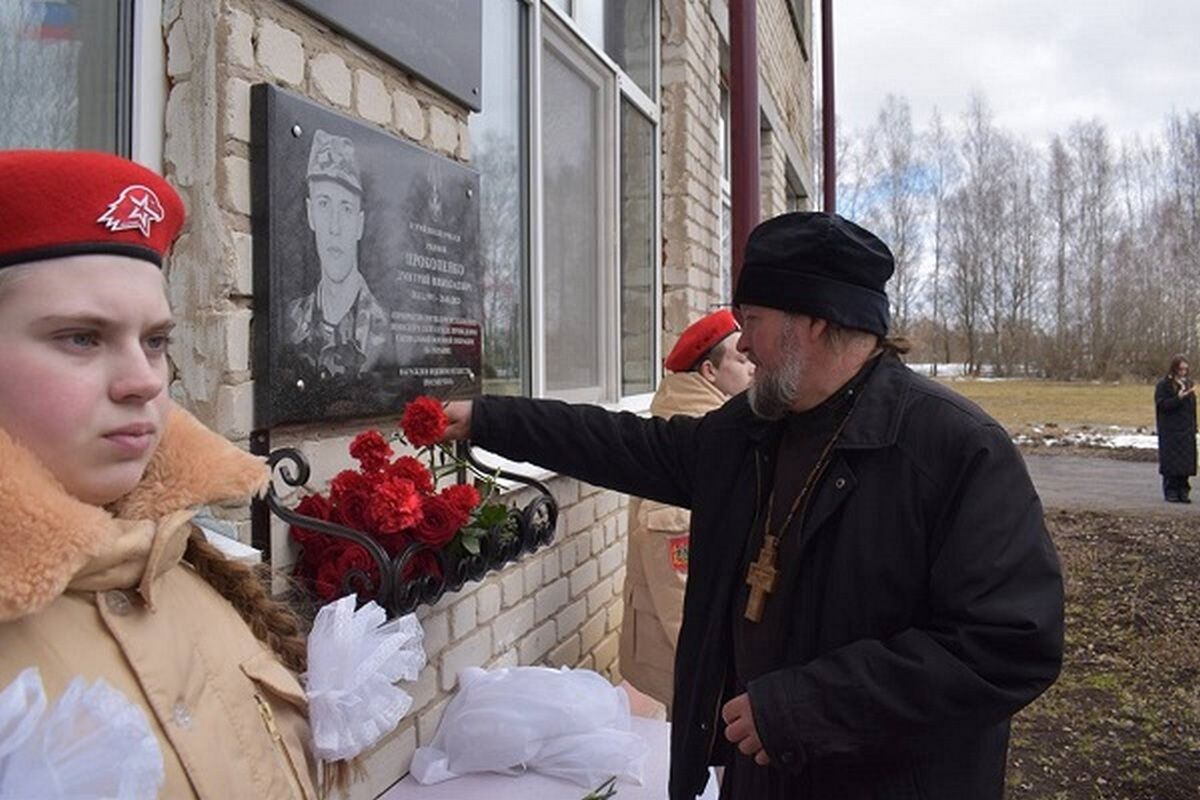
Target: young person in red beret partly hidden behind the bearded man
(705,370)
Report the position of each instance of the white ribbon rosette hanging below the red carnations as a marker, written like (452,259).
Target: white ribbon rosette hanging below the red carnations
(355,660)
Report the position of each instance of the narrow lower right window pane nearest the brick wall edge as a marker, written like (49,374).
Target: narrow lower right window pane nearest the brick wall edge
(638,297)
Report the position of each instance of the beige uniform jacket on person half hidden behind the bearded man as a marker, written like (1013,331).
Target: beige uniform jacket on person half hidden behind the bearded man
(657,564)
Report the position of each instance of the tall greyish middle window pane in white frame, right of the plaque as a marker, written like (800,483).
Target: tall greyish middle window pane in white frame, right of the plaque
(572,158)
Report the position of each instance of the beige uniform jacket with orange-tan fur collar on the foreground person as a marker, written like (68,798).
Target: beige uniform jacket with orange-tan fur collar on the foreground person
(104,594)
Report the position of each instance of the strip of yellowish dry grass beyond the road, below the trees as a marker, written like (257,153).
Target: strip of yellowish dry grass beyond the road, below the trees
(1021,405)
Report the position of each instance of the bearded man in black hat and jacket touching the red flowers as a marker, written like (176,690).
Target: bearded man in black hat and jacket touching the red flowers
(873,593)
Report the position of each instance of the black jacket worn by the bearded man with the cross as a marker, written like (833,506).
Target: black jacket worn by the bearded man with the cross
(929,611)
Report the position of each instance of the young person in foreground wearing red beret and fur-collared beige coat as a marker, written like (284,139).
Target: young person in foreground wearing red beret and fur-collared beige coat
(104,576)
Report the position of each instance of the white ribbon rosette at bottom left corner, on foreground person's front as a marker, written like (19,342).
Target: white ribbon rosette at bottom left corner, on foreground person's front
(93,743)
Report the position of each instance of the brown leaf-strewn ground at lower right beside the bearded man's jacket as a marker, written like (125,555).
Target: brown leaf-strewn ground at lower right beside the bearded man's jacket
(1124,720)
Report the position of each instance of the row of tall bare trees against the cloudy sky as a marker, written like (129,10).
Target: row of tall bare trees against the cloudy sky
(1078,261)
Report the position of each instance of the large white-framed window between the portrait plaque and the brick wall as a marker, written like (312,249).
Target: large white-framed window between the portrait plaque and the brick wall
(568,147)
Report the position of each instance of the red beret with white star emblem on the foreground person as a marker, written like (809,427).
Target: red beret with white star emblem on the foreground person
(59,203)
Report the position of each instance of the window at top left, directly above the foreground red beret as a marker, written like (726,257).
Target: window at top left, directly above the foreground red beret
(67,75)
